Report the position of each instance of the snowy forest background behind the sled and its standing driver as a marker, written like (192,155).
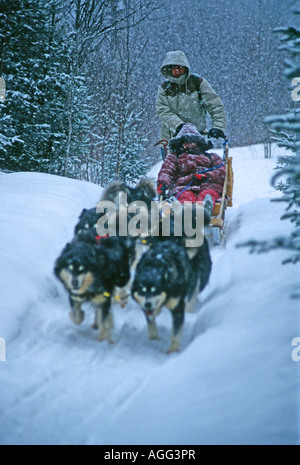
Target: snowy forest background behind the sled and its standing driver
(81,78)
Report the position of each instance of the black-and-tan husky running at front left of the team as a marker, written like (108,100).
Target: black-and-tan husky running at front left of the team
(91,271)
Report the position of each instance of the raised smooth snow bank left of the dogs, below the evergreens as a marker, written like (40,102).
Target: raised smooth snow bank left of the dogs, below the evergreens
(37,216)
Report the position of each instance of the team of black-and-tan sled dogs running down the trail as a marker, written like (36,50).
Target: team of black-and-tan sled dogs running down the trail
(155,269)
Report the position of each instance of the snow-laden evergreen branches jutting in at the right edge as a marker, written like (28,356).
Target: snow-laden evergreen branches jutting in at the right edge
(286,132)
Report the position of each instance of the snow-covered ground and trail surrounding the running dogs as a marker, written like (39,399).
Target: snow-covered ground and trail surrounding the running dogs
(233,383)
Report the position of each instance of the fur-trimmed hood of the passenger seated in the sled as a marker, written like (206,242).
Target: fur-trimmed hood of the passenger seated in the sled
(189,134)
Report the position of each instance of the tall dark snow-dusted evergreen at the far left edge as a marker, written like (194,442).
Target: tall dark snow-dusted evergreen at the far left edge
(26,138)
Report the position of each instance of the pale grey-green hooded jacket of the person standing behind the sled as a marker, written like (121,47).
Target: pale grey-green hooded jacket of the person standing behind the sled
(178,101)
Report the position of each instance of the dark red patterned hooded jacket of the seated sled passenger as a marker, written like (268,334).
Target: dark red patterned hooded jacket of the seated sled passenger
(179,167)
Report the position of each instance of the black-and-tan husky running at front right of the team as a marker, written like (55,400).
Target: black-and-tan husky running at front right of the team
(166,276)
